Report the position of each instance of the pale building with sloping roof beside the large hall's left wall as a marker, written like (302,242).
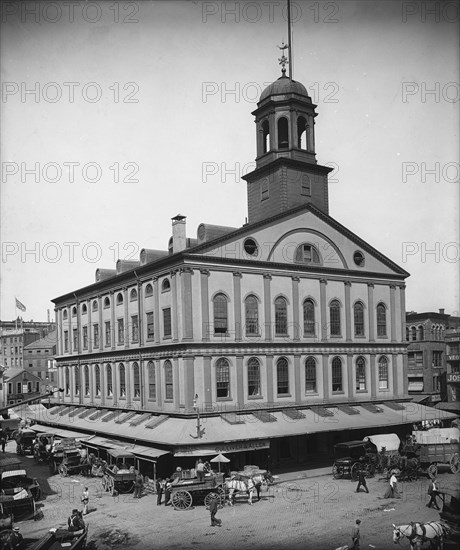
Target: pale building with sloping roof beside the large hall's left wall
(39,358)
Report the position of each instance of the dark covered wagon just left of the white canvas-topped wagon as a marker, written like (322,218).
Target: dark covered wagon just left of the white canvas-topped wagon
(350,458)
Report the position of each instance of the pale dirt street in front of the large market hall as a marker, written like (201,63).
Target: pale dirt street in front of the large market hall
(316,513)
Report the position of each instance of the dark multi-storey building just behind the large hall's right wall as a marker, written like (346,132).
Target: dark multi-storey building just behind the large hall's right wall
(427,355)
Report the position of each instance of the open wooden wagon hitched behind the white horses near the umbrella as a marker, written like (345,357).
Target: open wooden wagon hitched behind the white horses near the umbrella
(187,491)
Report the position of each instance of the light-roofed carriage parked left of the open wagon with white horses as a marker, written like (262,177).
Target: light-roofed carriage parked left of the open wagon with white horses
(119,475)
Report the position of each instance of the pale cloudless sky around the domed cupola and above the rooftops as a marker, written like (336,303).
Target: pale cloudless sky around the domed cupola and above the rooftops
(116,116)
